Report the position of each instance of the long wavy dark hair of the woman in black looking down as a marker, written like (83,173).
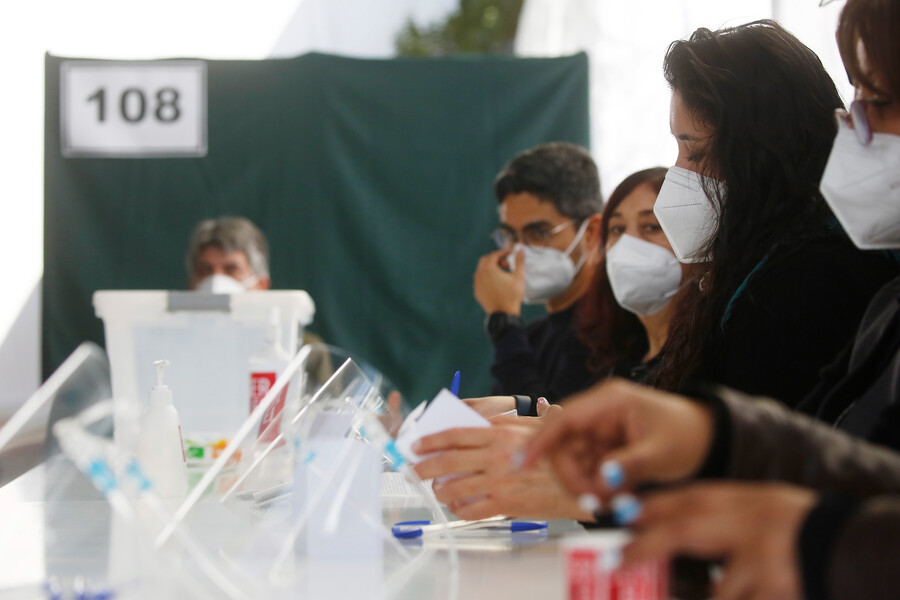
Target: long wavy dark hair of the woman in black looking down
(769,104)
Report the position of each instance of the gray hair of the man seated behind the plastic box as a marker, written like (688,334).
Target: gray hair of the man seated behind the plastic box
(231,234)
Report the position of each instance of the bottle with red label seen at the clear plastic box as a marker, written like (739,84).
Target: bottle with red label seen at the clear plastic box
(265,367)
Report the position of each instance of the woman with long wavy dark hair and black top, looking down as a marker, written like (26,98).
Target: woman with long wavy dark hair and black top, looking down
(776,288)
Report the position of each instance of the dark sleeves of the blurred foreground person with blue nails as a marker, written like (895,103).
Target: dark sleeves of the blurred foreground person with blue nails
(849,544)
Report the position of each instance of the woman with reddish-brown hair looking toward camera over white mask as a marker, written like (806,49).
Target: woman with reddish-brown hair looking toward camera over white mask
(624,319)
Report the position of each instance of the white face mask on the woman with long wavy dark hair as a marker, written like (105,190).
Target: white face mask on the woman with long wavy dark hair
(688,218)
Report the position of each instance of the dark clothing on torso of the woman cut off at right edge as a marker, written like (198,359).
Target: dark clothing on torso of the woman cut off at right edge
(859,391)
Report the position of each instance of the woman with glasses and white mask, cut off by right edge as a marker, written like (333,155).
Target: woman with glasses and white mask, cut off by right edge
(860,390)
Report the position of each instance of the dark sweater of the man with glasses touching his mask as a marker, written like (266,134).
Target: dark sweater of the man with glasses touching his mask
(544,358)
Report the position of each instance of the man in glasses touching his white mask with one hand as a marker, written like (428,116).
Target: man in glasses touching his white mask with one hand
(548,239)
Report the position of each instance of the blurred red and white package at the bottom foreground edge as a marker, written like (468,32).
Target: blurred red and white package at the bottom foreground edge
(592,566)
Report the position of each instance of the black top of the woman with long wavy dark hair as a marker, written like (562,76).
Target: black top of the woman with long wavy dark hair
(794,314)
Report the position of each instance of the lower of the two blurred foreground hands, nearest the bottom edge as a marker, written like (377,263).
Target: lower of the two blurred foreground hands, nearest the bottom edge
(753,527)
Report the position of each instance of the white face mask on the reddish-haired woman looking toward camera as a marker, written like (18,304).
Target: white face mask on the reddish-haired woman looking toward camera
(644,277)
